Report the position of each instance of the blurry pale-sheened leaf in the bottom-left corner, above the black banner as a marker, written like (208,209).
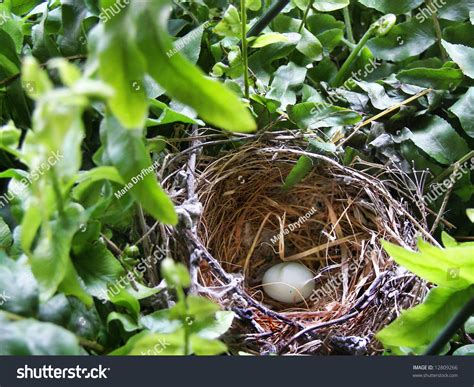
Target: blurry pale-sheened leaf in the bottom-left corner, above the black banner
(30,337)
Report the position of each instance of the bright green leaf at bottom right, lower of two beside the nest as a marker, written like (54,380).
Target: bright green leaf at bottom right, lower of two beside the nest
(419,326)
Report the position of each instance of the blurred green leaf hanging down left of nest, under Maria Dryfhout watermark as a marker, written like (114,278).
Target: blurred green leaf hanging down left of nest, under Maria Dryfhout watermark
(136,166)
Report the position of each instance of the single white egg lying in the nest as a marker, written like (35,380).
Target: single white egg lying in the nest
(288,282)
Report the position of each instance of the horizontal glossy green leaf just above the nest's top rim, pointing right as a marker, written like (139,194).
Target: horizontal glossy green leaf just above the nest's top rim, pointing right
(310,115)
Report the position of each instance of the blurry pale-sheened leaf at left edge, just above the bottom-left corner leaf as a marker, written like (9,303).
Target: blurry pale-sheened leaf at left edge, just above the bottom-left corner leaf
(18,287)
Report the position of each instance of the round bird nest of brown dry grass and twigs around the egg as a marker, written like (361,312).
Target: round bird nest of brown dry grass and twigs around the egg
(332,222)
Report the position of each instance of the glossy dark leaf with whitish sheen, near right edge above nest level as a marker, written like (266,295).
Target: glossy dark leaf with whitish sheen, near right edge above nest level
(439,140)
